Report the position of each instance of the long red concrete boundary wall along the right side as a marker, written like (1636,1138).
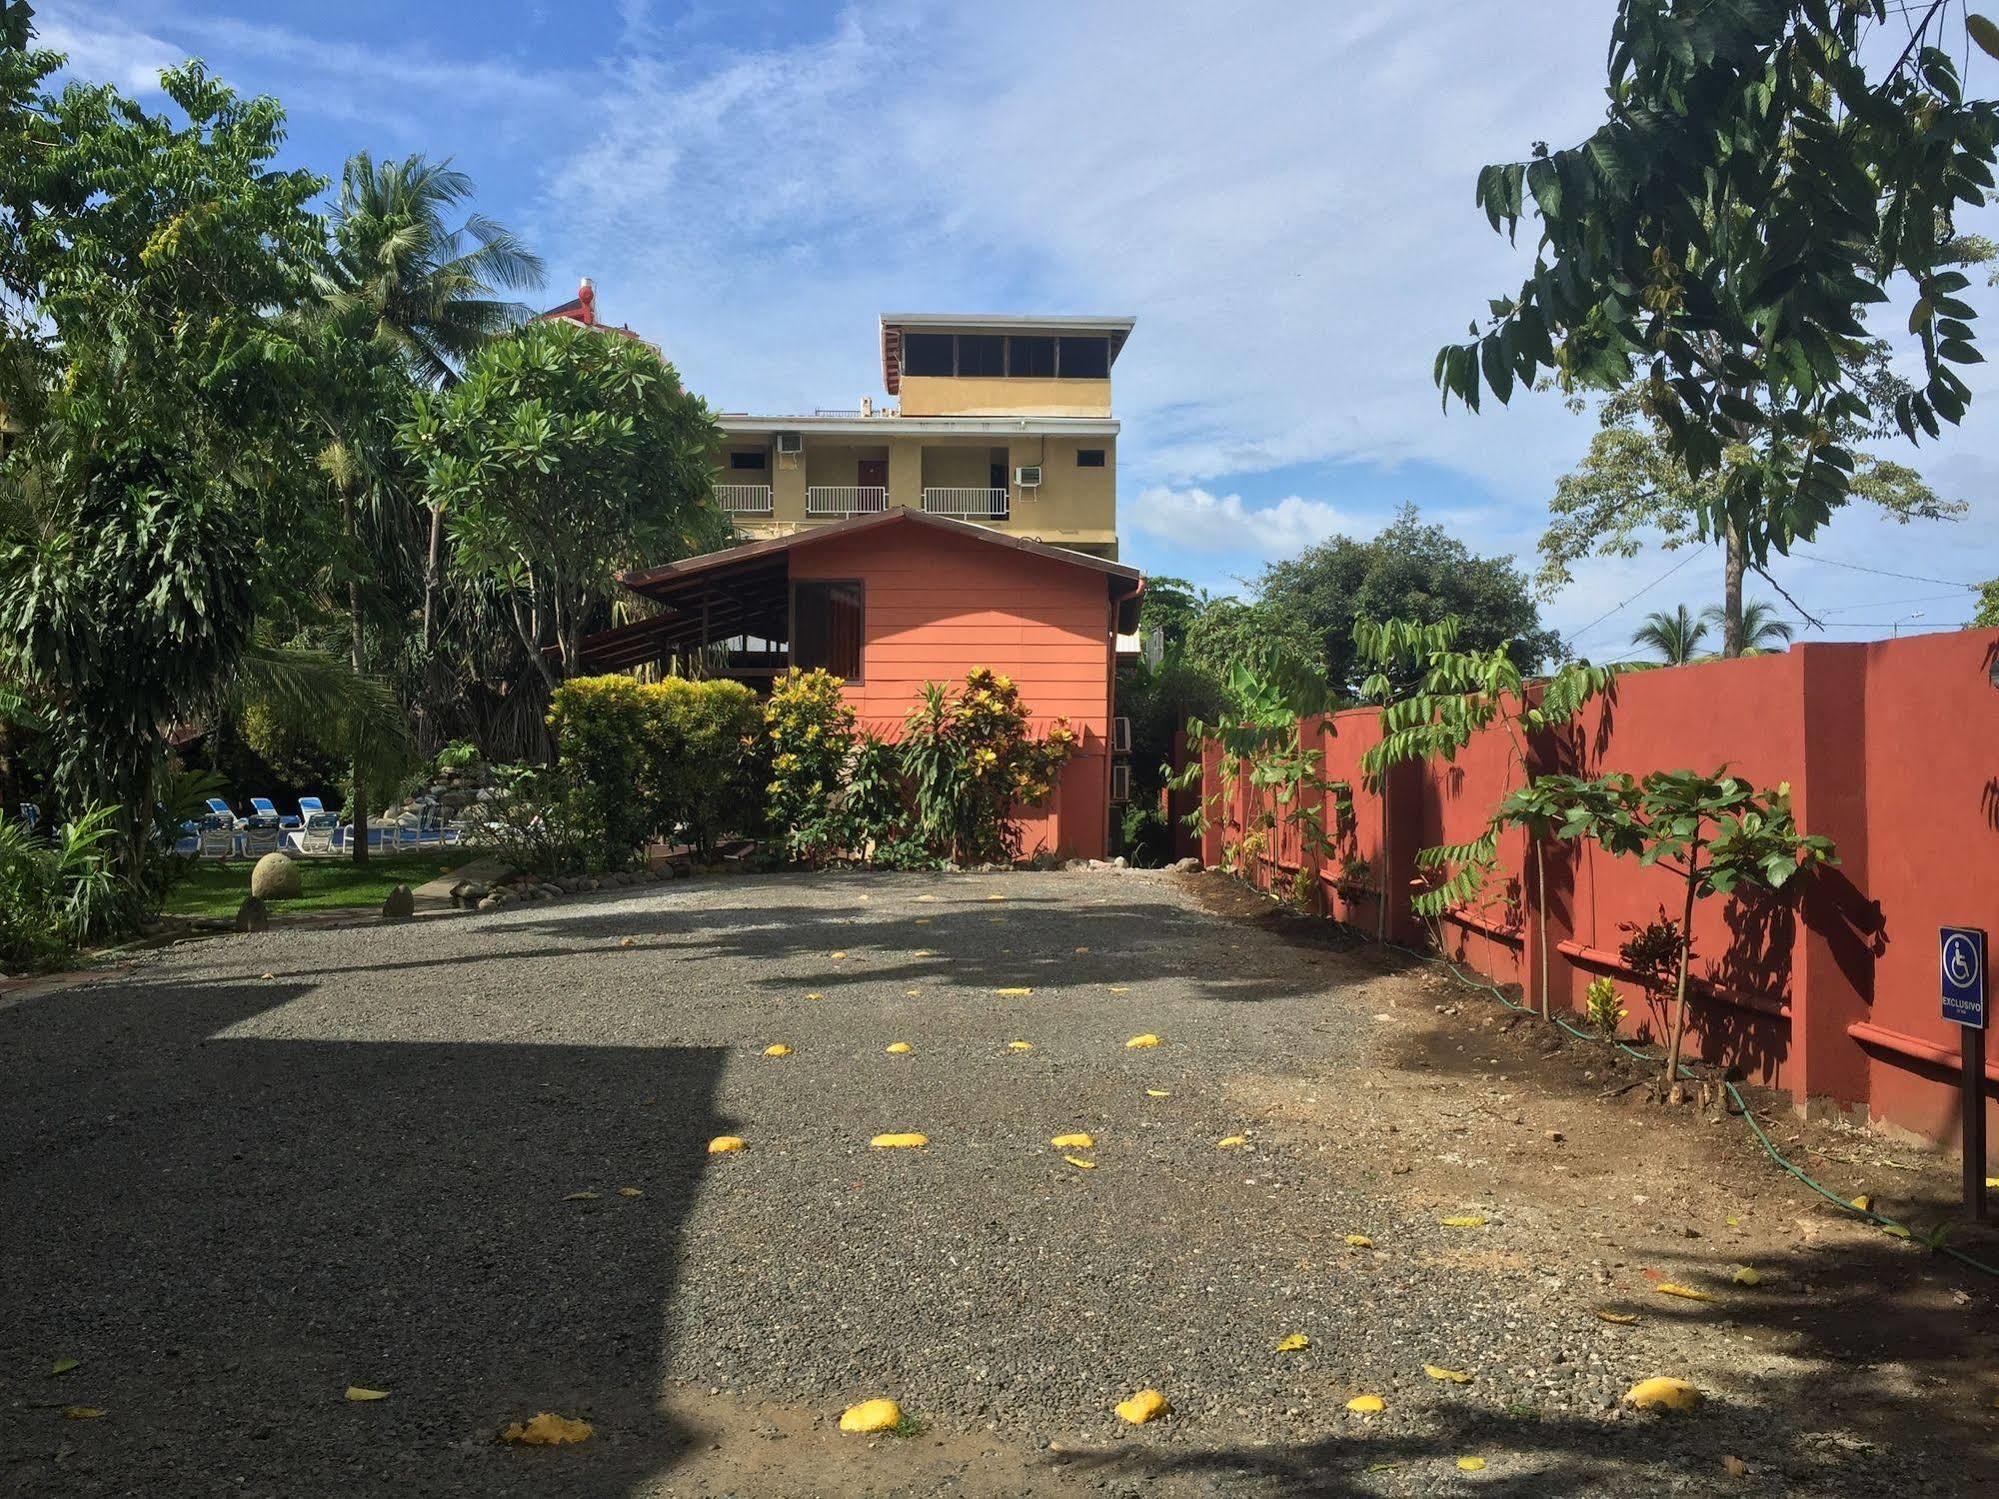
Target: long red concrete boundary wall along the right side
(1892,750)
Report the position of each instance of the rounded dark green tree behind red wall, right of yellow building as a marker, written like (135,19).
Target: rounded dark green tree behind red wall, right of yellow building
(1408,573)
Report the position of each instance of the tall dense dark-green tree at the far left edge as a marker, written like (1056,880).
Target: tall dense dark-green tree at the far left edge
(157,397)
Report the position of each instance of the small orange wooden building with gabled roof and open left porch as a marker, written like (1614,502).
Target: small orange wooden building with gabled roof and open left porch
(901,599)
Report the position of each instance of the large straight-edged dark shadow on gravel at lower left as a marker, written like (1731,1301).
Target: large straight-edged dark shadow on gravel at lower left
(231,1232)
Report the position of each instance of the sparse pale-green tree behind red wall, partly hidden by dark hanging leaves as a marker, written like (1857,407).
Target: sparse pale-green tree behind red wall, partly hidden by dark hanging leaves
(1630,491)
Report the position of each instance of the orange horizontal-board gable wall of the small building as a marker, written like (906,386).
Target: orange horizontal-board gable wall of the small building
(937,607)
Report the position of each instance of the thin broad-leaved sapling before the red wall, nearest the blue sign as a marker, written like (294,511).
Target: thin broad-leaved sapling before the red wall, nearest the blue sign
(1716,832)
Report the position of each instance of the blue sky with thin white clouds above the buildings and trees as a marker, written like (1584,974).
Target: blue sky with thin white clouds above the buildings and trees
(1282,195)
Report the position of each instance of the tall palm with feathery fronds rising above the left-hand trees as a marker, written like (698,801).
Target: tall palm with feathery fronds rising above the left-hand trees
(427,289)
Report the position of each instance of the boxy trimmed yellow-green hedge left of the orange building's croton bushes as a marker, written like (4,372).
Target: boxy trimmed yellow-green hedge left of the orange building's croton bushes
(659,760)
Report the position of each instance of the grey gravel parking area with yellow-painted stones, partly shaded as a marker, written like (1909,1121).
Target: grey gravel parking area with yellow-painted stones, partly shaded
(253,1172)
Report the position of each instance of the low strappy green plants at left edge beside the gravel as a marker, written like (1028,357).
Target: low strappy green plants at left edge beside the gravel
(61,894)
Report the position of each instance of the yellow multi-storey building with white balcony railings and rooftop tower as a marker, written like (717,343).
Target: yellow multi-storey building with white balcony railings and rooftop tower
(1002,421)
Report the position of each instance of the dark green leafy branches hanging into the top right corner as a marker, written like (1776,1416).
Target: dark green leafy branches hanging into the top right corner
(1718,239)
